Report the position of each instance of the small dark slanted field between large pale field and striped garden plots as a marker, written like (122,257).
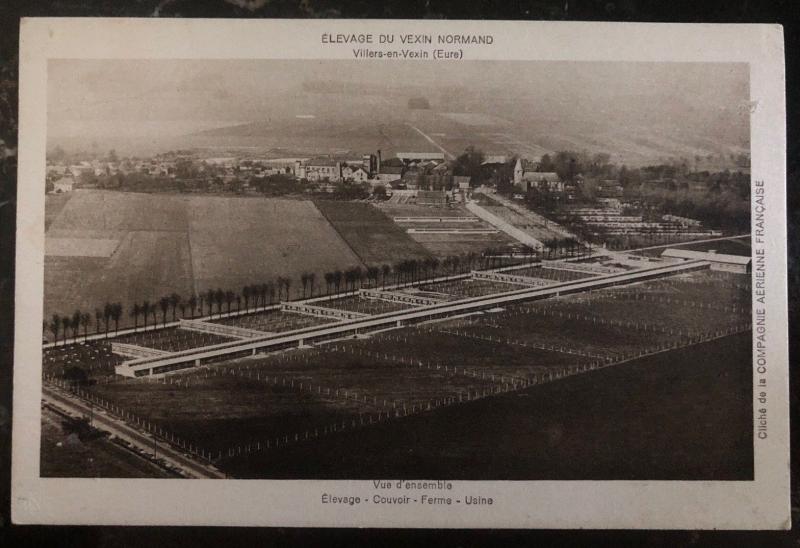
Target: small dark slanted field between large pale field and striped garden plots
(374,238)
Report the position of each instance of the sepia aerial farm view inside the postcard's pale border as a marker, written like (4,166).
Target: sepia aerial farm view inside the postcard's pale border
(356,269)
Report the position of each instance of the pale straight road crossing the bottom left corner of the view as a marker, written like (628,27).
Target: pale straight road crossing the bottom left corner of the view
(120,429)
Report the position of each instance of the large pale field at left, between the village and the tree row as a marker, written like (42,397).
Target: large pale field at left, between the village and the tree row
(179,244)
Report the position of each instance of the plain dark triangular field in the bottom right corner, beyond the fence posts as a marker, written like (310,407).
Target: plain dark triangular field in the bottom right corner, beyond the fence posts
(627,422)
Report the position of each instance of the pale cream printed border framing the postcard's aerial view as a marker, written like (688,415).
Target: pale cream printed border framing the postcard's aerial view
(759,504)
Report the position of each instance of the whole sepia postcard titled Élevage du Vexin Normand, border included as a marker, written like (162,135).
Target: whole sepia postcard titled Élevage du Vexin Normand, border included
(396,274)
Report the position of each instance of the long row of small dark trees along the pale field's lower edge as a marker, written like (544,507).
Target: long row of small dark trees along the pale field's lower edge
(253,296)
